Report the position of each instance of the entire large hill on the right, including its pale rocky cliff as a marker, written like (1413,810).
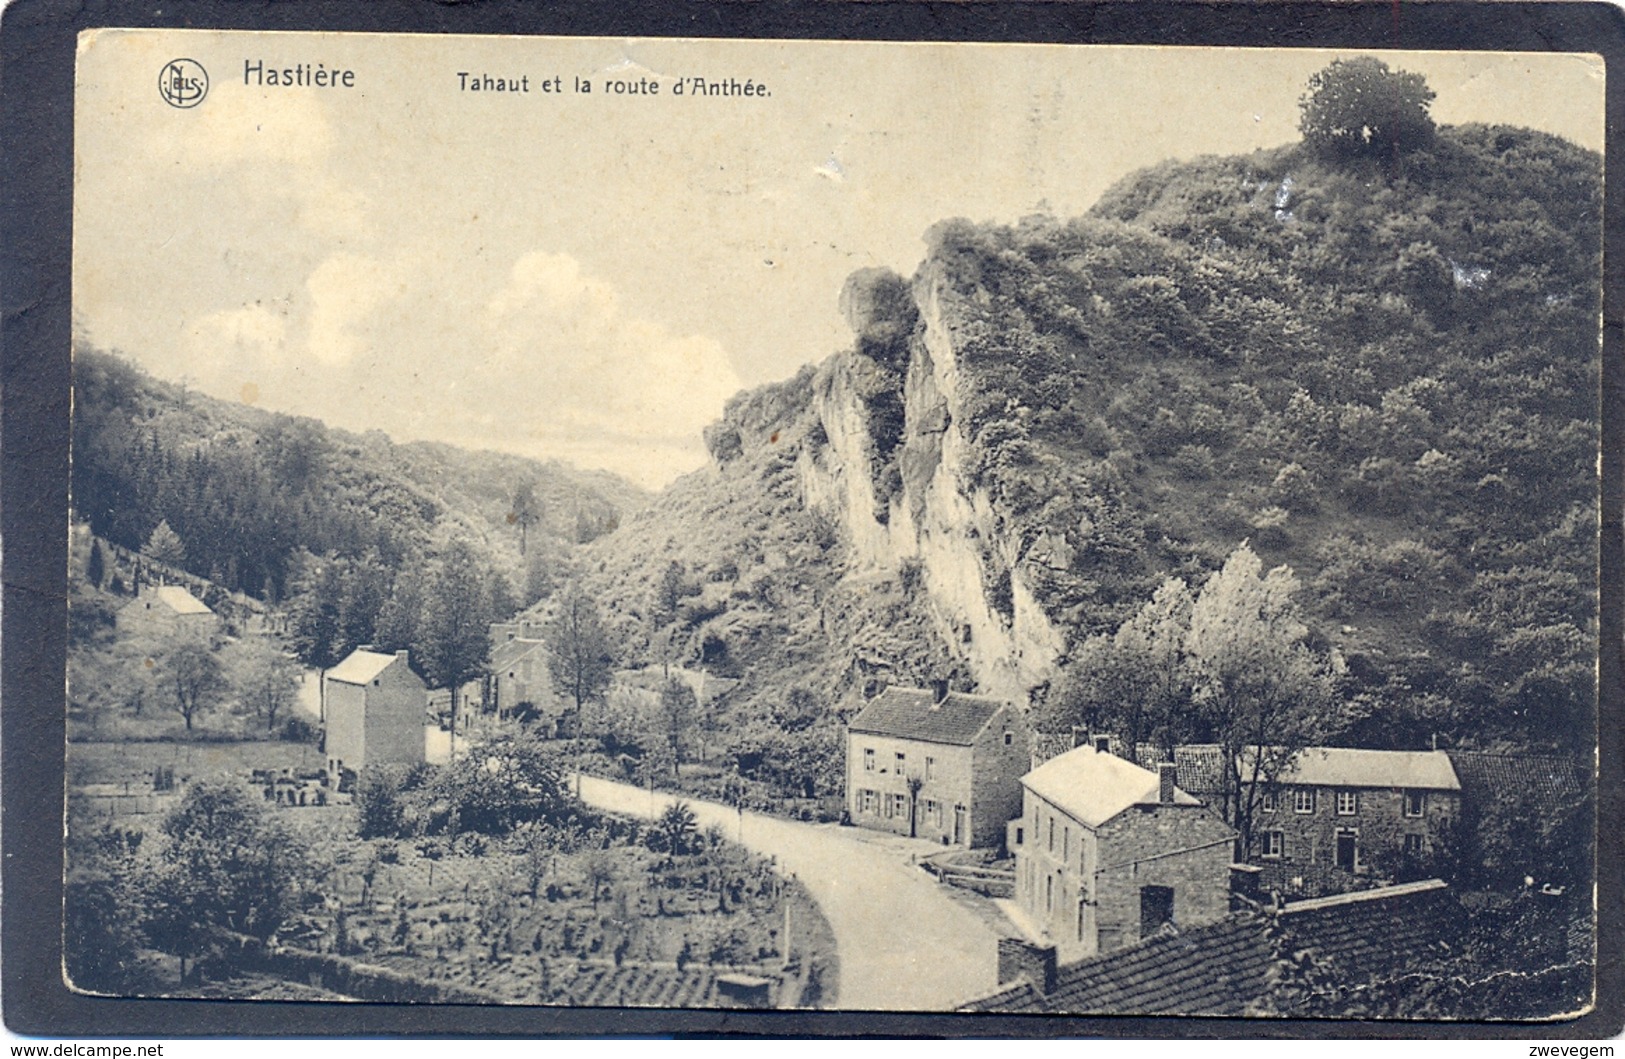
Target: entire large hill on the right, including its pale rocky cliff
(1372,361)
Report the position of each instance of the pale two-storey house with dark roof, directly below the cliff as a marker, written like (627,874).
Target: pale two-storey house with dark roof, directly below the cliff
(937,764)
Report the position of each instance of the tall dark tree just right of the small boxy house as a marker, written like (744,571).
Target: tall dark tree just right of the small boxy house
(456,625)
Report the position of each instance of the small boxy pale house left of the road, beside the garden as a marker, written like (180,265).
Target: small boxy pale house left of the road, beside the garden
(375,714)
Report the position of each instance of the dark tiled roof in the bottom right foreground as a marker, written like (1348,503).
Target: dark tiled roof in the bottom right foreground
(1224,969)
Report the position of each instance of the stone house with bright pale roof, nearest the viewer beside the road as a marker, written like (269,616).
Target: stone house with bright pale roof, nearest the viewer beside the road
(1109,854)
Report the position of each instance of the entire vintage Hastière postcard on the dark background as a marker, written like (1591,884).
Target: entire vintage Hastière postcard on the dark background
(873,527)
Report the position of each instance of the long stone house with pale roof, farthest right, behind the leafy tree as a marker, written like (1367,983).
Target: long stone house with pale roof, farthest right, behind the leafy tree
(1343,808)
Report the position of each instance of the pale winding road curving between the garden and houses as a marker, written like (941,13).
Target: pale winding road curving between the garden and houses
(904,944)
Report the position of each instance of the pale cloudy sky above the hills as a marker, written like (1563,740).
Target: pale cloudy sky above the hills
(591,277)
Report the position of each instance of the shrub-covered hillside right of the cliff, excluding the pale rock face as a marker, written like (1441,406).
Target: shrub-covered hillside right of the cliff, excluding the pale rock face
(1382,373)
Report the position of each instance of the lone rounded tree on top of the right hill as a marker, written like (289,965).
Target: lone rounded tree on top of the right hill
(1359,106)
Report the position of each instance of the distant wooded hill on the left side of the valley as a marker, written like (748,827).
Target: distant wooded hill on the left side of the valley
(251,493)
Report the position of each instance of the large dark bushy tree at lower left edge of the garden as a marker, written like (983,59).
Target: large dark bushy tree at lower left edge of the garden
(227,867)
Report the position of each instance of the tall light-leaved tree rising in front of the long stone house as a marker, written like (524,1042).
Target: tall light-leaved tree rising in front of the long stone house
(1260,691)
